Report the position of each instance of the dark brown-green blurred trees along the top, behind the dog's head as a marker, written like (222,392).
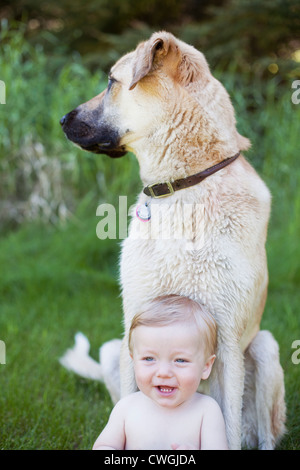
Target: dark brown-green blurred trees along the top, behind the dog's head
(253,34)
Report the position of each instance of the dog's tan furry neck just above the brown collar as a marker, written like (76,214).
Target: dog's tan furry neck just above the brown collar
(189,147)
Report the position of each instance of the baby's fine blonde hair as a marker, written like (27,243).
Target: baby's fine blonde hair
(168,309)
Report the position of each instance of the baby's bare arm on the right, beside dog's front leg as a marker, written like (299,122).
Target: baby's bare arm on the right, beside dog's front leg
(213,435)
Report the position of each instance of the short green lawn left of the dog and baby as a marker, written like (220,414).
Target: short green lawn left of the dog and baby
(54,282)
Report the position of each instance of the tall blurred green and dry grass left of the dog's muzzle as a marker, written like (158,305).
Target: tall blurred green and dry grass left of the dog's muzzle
(34,154)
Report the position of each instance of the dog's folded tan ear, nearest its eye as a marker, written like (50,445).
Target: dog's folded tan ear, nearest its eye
(147,54)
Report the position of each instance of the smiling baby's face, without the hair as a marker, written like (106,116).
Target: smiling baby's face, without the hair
(169,362)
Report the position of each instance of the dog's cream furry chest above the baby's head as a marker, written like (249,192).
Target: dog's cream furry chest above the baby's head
(182,250)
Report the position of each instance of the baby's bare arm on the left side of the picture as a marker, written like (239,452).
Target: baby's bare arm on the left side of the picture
(113,435)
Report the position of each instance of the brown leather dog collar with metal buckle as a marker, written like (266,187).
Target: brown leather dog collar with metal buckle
(167,188)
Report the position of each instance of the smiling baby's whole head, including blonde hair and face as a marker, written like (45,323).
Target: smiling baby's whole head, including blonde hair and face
(172,342)
